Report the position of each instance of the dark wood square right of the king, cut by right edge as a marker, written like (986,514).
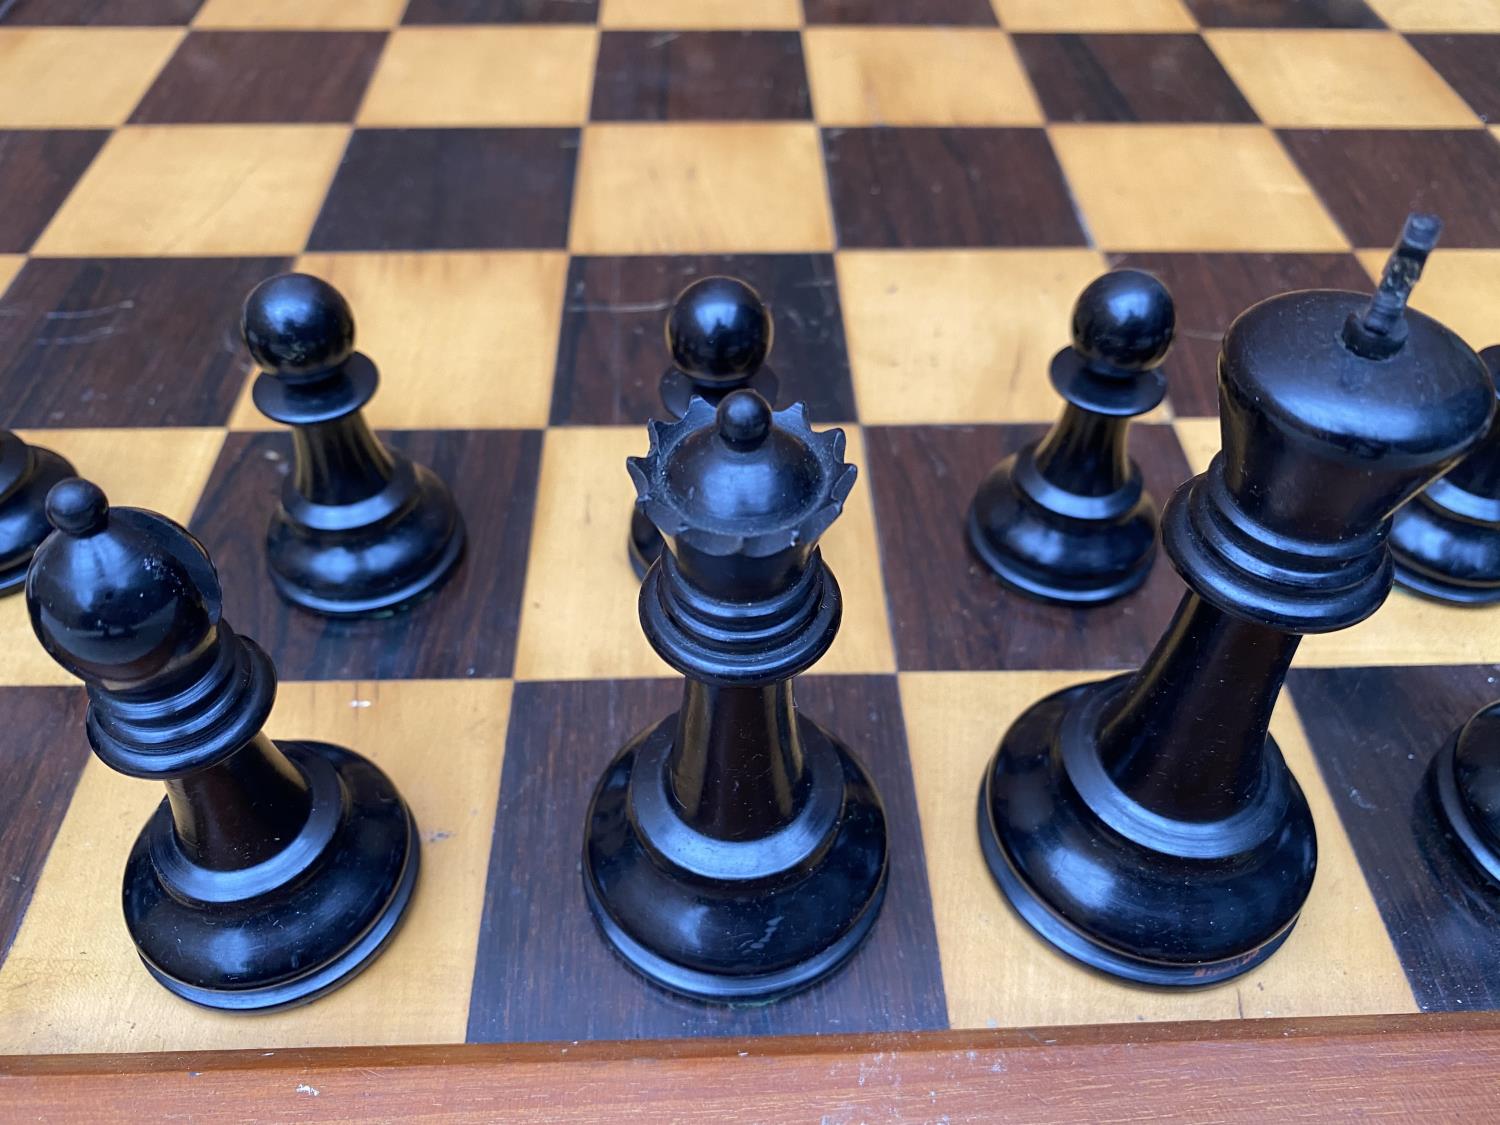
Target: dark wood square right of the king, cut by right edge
(1375,733)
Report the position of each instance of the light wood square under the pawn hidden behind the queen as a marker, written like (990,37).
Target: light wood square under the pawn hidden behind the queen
(580,610)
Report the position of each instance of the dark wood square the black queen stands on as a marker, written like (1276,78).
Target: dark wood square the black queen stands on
(539,941)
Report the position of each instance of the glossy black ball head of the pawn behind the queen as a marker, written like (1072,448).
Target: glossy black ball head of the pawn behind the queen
(719,331)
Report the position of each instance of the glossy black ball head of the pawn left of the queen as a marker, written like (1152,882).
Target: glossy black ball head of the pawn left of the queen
(296,325)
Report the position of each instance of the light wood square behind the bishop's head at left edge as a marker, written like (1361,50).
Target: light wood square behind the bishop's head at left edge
(128,466)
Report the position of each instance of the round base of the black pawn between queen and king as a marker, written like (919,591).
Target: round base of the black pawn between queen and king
(1079,551)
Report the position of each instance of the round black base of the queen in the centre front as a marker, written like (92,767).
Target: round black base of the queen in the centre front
(734,922)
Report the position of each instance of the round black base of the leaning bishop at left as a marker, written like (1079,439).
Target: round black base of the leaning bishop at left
(296,926)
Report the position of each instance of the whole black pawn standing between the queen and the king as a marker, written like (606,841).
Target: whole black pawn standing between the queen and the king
(1067,518)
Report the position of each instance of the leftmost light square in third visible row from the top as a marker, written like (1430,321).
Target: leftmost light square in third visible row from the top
(199,190)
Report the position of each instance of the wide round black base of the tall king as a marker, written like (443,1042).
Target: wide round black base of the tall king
(1163,904)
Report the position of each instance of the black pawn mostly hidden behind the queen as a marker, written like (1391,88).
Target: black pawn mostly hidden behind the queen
(719,335)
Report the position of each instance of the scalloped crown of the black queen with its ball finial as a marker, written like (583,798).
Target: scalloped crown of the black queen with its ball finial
(742,479)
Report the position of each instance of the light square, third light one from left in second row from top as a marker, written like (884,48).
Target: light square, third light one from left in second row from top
(911,76)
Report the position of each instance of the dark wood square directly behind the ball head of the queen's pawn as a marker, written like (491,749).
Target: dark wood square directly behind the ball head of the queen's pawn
(611,352)
